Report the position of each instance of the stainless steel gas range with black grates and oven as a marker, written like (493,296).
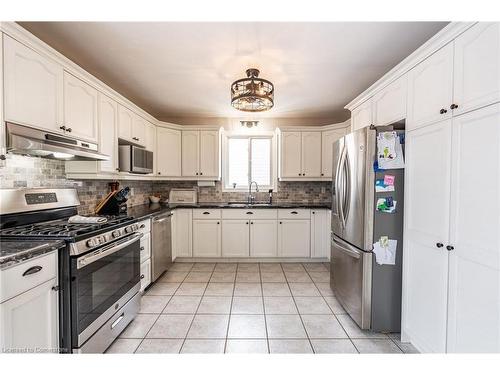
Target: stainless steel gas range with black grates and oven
(99,268)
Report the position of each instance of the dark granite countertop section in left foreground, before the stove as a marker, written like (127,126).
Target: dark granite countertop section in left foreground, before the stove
(17,251)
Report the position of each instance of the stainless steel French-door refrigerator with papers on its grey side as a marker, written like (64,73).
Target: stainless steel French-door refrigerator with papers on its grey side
(369,292)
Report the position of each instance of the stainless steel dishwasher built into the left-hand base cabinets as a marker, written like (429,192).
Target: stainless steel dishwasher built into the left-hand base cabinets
(161,256)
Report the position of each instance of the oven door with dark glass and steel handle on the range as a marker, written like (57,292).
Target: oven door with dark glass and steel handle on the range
(102,281)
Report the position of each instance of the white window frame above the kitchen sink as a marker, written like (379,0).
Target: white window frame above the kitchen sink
(225,164)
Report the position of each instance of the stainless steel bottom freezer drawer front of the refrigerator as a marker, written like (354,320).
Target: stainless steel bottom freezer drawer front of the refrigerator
(351,278)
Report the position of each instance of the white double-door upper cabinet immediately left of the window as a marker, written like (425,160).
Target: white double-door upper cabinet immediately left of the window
(201,153)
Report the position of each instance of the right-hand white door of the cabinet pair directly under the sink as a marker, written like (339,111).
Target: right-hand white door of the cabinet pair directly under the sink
(264,238)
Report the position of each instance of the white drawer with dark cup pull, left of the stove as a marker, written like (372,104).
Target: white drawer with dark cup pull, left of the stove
(13,283)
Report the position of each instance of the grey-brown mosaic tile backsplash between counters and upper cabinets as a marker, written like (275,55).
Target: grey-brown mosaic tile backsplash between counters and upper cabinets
(31,172)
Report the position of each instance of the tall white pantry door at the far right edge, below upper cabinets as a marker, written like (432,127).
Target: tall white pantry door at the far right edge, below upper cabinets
(474,292)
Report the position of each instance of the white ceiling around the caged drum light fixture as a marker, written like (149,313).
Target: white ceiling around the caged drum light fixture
(182,69)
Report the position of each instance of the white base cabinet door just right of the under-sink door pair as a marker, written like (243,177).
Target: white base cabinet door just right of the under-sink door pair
(294,238)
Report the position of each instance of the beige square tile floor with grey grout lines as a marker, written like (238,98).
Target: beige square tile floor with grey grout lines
(248,308)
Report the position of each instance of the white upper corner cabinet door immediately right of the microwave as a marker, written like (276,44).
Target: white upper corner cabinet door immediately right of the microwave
(168,152)
